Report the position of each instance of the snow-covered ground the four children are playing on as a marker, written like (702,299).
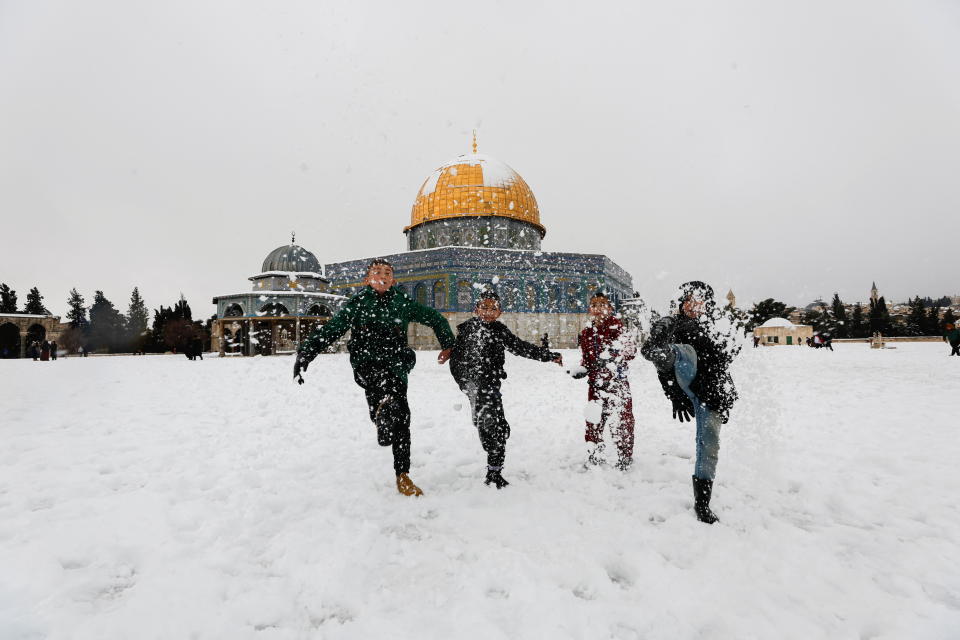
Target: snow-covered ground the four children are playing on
(154,497)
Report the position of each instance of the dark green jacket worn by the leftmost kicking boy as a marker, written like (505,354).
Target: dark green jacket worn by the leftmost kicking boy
(378,326)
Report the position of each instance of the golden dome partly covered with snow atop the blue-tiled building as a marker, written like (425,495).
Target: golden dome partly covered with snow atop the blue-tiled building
(475,185)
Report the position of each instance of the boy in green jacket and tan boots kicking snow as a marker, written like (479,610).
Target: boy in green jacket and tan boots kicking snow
(377,318)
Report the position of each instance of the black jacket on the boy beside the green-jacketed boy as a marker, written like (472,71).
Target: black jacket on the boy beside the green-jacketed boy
(478,353)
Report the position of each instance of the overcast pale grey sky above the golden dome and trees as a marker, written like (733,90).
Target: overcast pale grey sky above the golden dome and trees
(785,149)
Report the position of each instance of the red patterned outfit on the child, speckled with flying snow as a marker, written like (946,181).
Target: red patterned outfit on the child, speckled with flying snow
(607,350)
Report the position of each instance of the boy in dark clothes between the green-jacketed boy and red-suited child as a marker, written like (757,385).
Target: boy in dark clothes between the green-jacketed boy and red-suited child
(477,365)
